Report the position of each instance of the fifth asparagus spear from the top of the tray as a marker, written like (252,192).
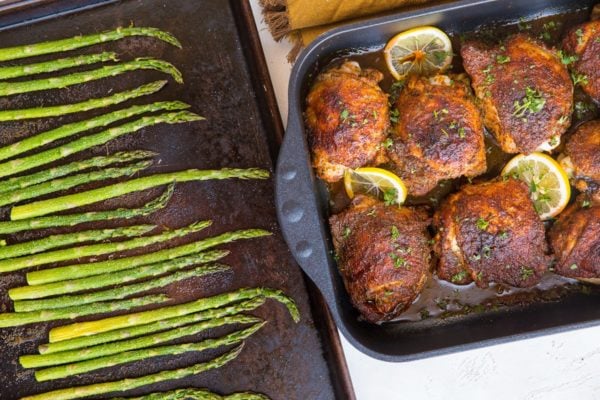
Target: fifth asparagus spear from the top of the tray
(64,131)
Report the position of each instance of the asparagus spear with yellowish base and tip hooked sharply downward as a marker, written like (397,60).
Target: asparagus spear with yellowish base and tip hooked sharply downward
(108,324)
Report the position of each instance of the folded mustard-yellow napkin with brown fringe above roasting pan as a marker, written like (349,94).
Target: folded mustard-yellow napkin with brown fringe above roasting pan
(303,20)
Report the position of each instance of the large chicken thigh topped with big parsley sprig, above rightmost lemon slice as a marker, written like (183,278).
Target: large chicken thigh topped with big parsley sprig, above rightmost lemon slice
(504,75)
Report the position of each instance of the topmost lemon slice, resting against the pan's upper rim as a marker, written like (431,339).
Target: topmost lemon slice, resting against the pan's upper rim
(425,51)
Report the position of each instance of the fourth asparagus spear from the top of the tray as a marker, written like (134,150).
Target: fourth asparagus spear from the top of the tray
(54,111)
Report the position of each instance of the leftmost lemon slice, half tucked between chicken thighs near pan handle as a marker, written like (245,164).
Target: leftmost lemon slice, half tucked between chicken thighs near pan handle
(375,182)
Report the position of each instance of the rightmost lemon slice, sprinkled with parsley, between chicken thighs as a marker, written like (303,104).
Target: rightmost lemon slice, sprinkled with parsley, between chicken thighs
(548,182)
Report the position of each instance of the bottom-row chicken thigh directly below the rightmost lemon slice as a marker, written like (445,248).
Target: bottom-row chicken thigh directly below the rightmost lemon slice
(490,232)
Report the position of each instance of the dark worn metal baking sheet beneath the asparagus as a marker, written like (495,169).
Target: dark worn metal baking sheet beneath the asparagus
(284,360)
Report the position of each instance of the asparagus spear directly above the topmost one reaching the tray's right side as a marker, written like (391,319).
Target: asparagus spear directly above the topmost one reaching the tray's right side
(69,182)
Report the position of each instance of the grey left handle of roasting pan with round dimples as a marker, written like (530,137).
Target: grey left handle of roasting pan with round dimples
(298,209)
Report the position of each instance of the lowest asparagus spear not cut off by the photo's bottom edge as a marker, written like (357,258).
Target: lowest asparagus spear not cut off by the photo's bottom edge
(63,371)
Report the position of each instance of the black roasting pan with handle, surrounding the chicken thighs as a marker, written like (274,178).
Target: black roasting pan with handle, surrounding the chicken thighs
(302,201)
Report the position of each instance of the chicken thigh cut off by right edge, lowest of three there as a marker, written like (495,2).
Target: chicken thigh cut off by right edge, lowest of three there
(575,239)
